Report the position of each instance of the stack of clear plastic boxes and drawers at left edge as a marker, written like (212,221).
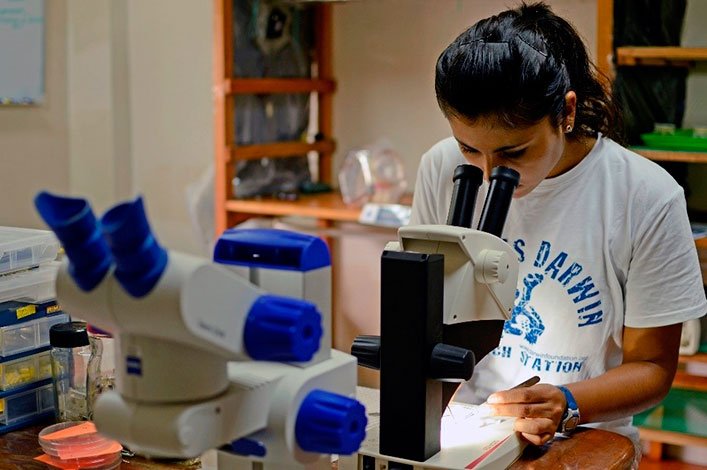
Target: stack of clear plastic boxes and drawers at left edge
(28,308)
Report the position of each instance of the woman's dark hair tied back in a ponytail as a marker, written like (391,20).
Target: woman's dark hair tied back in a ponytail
(518,66)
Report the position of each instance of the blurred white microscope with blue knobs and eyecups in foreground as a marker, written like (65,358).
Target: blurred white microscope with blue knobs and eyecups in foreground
(205,357)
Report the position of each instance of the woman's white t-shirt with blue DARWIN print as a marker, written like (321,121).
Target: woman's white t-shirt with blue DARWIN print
(605,245)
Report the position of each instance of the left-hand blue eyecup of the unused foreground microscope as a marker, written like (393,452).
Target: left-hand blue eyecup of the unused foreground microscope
(77,229)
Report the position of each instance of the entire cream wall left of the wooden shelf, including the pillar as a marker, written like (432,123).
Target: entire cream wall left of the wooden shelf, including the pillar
(127,111)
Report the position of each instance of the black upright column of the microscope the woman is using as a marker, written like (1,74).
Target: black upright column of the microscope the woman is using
(412,286)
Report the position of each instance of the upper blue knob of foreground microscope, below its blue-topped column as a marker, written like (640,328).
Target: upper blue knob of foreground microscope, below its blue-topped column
(282,329)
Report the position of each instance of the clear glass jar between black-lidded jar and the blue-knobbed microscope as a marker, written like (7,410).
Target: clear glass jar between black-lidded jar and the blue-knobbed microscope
(101,366)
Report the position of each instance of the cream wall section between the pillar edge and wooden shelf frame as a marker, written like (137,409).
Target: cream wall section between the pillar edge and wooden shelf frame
(171,122)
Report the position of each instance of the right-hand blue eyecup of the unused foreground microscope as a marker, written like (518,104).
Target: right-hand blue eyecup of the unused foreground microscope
(140,260)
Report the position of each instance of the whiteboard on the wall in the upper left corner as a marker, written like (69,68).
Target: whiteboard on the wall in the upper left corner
(21,52)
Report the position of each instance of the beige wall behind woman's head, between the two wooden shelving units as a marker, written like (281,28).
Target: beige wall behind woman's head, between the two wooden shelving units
(384,57)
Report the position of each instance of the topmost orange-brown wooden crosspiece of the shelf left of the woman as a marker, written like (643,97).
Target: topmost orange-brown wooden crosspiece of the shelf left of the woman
(255,86)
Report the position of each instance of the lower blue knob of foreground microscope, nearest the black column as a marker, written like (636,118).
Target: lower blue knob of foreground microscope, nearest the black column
(329,423)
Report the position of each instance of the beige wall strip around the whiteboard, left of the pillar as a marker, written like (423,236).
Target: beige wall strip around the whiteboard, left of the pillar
(34,140)
